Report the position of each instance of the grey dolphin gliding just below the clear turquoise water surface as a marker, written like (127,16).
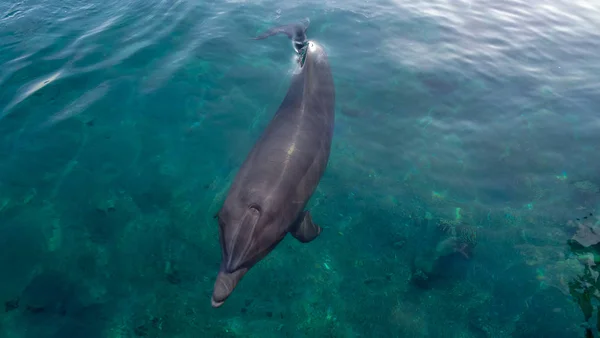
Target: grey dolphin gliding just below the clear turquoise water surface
(270,191)
